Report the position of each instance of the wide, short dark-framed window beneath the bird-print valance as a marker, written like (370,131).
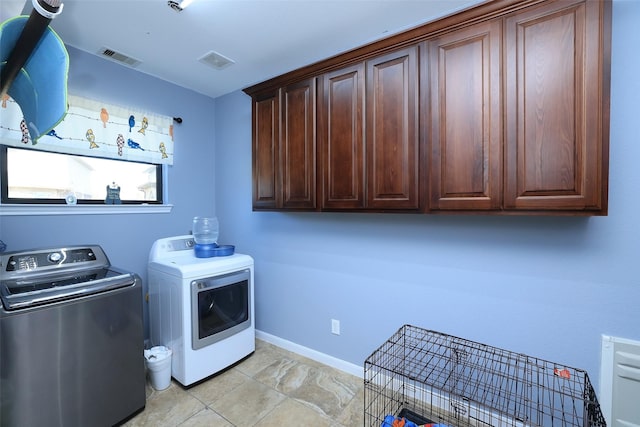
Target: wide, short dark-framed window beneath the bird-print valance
(40,177)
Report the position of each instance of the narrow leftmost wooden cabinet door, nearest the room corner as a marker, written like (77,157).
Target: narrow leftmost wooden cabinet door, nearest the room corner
(266,117)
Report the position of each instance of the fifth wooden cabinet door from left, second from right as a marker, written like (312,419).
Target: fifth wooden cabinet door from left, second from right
(466,125)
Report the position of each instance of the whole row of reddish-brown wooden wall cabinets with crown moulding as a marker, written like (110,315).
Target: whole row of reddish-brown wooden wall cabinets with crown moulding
(502,108)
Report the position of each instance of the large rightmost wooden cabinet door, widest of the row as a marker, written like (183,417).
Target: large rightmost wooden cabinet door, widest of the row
(556,151)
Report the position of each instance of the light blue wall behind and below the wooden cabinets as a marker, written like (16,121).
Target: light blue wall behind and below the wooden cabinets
(548,287)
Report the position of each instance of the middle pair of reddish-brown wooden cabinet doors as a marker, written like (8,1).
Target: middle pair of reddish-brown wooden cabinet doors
(368,134)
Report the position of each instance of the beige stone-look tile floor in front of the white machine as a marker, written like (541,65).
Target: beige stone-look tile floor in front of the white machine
(272,387)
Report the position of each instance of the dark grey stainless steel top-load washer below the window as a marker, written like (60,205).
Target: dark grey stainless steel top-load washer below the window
(71,339)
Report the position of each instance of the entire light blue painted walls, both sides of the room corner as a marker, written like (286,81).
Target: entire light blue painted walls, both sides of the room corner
(548,287)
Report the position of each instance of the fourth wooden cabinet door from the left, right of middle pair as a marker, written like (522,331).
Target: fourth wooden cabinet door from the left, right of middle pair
(392,130)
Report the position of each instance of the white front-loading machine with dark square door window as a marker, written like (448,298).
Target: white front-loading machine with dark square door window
(201,308)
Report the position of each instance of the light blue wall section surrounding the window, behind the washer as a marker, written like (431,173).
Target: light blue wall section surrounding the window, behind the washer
(127,238)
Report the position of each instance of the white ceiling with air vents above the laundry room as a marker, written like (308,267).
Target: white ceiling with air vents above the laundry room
(264,38)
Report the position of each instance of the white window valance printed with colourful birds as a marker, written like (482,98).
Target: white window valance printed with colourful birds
(96,129)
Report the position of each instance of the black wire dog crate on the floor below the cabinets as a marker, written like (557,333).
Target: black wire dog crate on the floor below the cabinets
(431,377)
